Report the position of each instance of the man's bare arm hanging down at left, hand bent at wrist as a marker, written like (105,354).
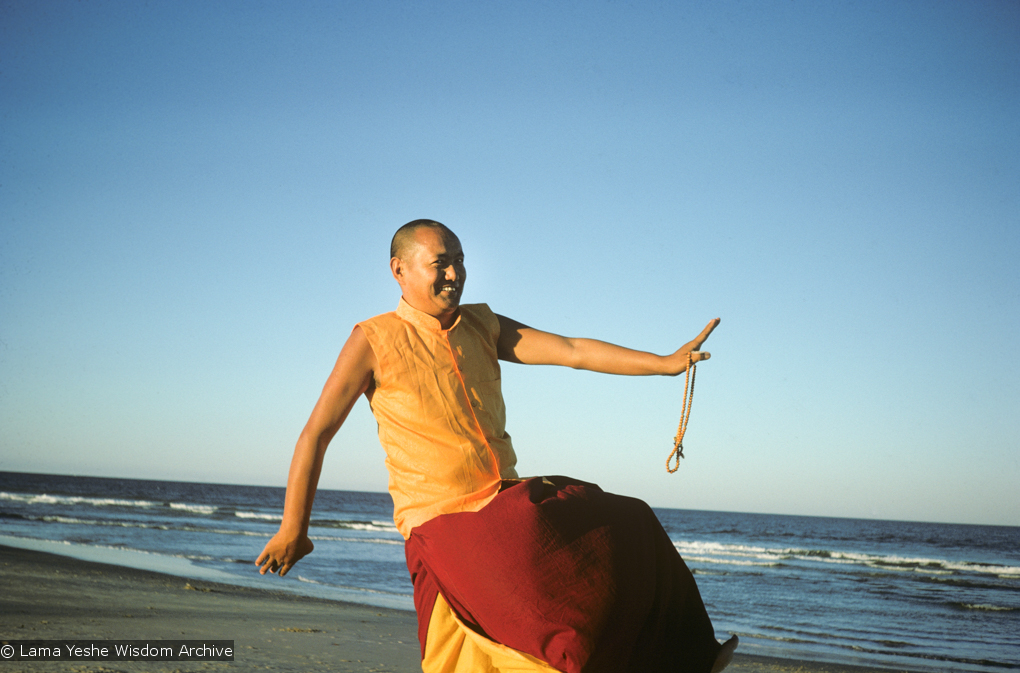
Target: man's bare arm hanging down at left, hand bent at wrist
(350,379)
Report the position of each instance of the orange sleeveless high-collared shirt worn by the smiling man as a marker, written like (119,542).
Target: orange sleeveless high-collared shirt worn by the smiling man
(440,410)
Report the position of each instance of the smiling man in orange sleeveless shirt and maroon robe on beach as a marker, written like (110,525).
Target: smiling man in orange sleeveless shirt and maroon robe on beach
(542,575)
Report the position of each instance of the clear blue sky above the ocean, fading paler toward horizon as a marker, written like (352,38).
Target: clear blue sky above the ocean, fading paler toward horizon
(197,199)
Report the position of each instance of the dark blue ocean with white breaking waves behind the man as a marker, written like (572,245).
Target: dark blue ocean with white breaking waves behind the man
(921,597)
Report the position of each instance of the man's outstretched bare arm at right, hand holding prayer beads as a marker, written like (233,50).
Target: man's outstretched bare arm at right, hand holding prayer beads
(525,345)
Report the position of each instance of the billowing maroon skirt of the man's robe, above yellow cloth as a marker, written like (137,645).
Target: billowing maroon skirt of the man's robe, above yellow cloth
(585,581)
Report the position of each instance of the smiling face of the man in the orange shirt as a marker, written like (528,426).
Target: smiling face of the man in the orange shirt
(431,274)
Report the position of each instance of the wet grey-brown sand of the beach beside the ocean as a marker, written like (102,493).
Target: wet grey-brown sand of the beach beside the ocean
(49,597)
